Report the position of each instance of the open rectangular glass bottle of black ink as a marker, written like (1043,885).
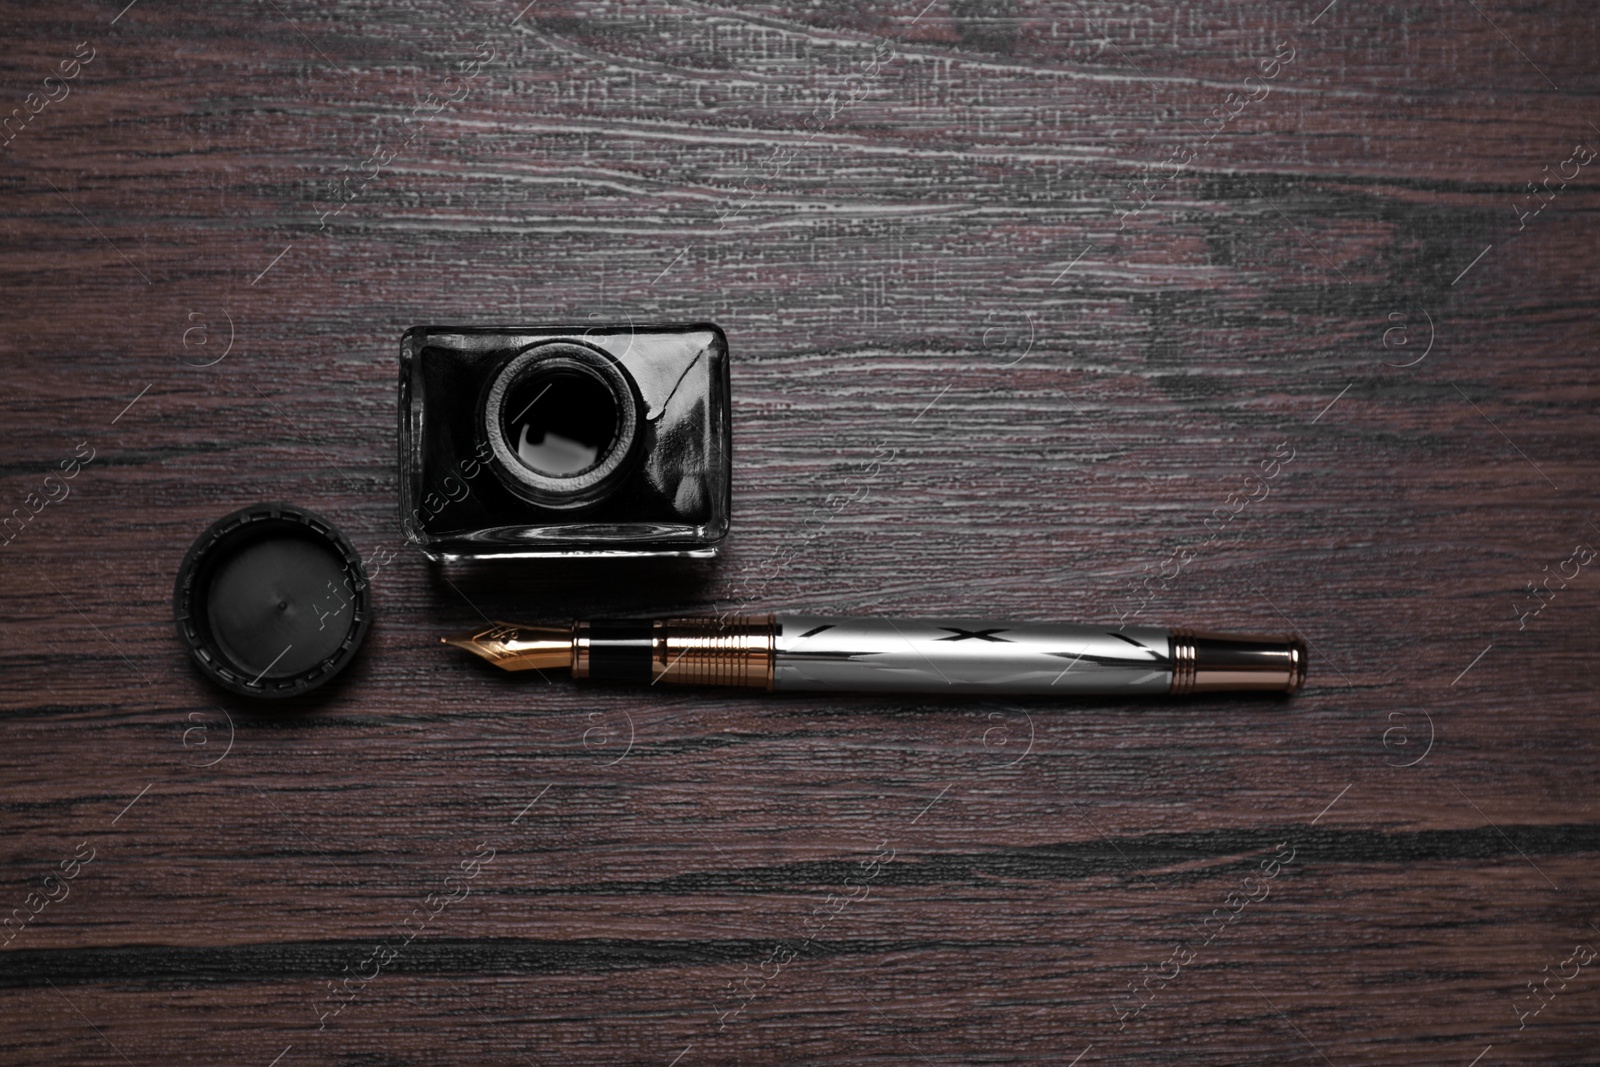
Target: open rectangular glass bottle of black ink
(526,442)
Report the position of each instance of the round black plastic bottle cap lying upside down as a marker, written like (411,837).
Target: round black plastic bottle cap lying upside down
(271,601)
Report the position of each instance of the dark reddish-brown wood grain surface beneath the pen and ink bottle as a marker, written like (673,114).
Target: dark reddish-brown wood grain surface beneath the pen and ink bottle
(916,226)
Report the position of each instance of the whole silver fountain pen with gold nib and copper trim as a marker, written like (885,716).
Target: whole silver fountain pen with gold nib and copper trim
(876,653)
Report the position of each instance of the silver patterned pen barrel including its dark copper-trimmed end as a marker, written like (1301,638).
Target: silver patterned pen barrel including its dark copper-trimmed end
(871,653)
